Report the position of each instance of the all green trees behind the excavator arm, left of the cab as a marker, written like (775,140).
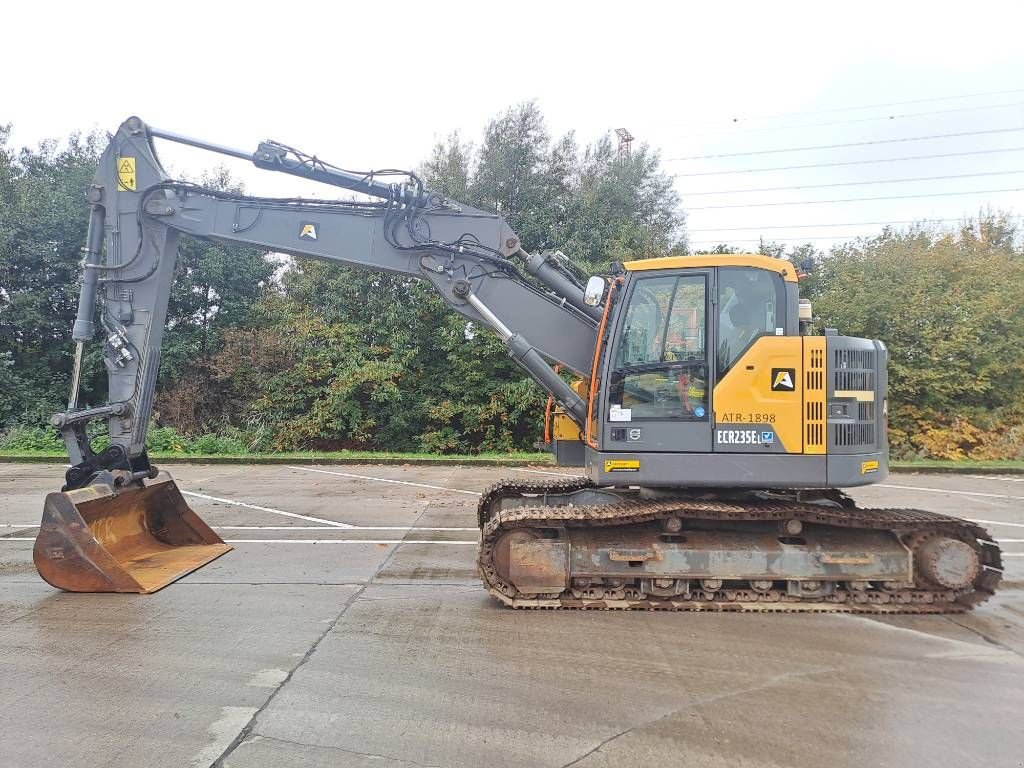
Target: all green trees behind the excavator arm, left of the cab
(332,357)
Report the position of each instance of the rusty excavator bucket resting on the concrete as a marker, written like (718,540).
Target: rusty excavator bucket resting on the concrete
(135,539)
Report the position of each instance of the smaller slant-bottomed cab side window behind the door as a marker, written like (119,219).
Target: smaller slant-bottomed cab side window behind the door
(750,306)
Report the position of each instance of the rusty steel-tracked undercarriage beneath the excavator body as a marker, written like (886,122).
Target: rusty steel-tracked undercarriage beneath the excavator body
(569,544)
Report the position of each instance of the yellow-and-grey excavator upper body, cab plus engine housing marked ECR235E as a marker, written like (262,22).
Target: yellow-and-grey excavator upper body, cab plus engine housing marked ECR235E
(708,381)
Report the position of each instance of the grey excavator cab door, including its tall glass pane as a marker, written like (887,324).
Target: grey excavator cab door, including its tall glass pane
(658,397)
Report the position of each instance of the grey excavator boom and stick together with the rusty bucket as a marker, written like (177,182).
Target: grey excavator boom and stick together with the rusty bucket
(121,526)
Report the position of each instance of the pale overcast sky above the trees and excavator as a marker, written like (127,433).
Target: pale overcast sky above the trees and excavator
(377,84)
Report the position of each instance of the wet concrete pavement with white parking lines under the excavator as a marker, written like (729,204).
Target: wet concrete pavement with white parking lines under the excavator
(349,629)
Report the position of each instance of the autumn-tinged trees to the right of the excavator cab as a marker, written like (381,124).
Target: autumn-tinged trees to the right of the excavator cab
(950,309)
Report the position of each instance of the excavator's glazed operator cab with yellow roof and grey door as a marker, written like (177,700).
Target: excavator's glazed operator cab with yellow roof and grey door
(685,323)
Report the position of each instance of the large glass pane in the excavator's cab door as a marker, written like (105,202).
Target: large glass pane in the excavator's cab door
(661,366)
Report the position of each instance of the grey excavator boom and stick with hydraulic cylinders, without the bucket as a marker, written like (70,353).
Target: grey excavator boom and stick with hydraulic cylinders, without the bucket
(473,259)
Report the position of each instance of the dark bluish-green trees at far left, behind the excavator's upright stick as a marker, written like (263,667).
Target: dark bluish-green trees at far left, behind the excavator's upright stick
(44,223)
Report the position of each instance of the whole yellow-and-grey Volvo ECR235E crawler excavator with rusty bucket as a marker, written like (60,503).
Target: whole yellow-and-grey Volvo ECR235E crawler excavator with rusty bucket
(715,430)
